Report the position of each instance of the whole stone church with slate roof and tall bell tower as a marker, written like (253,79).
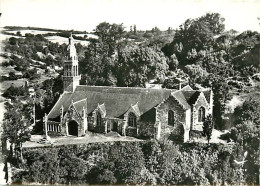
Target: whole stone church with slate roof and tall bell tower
(138,112)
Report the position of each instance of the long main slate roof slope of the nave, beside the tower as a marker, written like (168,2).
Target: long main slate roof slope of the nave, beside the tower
(117,100)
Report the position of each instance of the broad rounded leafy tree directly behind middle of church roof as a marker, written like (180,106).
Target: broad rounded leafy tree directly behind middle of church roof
(138,65)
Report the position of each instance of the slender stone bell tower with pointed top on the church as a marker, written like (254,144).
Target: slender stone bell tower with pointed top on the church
(71,75)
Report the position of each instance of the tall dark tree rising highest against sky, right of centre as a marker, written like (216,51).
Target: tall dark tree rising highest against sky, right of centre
(195,34)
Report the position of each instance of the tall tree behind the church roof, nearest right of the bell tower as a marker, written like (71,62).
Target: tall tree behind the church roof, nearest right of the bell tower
(99,63)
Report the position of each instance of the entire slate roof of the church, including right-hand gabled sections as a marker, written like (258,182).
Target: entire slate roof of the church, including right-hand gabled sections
(117,100)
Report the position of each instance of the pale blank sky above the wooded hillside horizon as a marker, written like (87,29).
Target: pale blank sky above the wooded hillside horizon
(84,15)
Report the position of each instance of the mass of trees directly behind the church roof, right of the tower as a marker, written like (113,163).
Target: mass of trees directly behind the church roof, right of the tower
(110,60)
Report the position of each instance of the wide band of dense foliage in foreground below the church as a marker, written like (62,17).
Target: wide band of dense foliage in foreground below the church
(147,162)
